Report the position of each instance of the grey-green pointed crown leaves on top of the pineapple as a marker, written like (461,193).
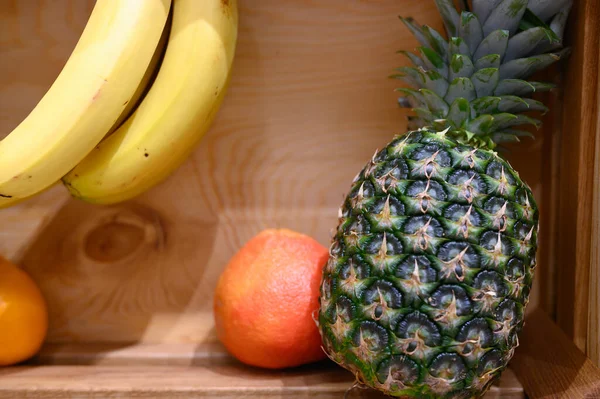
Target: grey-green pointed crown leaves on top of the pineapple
(474,84)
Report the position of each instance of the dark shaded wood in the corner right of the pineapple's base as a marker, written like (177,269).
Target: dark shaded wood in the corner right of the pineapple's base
(550,366)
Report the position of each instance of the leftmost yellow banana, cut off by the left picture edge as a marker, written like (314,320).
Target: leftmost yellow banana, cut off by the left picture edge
(100,77)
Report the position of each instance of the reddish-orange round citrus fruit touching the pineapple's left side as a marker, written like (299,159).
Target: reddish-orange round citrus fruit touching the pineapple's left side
(265,299)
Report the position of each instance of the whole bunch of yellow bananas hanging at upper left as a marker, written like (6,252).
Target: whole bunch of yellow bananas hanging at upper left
(137,94)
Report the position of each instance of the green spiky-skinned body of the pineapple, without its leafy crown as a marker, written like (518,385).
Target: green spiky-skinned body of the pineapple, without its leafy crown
(430,269)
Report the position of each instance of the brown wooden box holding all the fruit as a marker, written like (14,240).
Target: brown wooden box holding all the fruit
(130,286)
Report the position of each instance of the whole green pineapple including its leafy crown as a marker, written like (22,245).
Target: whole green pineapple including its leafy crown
(432,262)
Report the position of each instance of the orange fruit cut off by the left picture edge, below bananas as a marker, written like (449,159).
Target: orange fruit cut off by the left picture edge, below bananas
(23,315)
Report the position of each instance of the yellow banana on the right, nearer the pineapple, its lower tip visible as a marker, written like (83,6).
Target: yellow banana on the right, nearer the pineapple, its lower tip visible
(176,112)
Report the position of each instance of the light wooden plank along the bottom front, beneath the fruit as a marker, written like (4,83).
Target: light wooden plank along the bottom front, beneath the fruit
(320,381)
